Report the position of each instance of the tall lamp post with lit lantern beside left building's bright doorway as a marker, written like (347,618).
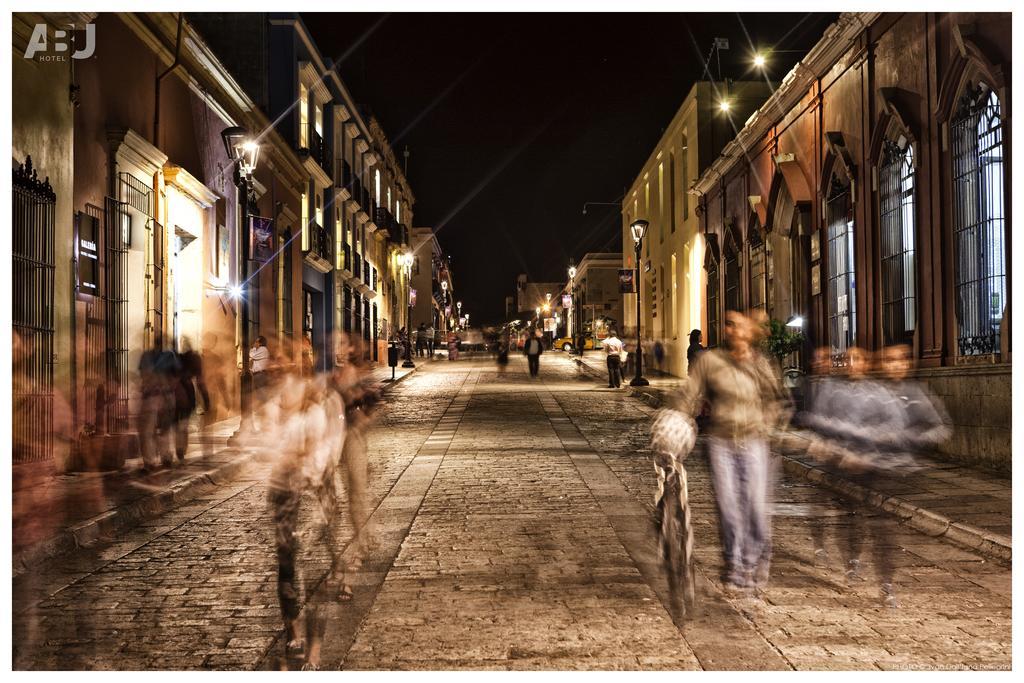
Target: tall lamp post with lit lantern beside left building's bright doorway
(244,153)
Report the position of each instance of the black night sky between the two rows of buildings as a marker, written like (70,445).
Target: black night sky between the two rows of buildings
(514,121)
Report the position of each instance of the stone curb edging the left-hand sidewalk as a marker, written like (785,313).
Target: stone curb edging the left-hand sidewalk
(112,523)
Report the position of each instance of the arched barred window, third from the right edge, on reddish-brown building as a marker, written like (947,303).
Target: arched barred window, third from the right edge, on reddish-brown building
(842,310)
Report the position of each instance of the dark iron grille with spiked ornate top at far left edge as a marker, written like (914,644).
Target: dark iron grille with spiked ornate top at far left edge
(32,316)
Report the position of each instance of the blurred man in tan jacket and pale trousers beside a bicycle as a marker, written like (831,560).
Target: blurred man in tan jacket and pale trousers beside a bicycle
(746,402)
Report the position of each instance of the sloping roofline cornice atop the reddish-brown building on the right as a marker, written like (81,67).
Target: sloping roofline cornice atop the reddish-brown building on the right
(838,39)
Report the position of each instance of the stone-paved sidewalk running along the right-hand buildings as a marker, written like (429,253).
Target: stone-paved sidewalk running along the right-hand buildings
(966,505)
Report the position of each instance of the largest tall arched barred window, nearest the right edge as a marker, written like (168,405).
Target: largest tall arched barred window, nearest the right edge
(976,136)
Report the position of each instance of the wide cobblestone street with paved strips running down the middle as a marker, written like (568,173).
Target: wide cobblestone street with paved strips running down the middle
(514,530)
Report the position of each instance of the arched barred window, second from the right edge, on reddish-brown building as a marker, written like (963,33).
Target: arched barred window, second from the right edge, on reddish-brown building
(897,203)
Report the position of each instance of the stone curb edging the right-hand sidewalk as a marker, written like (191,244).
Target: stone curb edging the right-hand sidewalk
(992,545)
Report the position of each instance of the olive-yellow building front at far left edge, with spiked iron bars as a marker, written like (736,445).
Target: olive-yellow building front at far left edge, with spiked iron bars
(42,249)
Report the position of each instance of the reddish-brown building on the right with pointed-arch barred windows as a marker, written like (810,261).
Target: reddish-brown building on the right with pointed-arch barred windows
(871,196)
